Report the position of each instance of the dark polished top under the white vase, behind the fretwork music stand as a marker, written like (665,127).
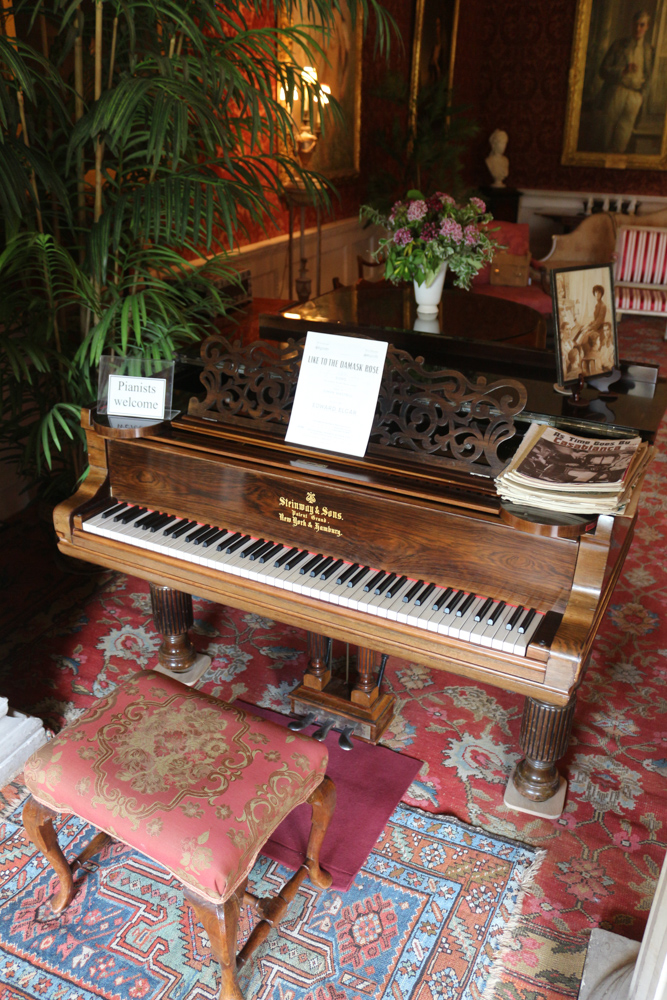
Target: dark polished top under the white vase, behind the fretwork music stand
(481,346)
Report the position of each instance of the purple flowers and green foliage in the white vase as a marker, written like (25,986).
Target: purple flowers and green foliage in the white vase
(427,232)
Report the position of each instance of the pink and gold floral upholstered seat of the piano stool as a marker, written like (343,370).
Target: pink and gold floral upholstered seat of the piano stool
(195,783)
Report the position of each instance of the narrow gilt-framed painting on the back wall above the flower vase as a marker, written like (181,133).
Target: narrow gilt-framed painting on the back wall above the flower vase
(433,47)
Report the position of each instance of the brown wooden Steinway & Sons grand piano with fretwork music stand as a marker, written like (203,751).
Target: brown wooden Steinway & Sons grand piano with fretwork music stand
(407,551)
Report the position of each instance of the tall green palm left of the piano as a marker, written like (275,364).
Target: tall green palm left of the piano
(137,138)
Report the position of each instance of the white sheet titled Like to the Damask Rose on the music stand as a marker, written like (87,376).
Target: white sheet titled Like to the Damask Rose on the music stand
(337,393)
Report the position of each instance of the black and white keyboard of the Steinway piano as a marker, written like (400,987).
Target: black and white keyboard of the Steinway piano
(444,610)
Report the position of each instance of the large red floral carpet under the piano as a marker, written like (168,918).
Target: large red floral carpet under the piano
(85,632)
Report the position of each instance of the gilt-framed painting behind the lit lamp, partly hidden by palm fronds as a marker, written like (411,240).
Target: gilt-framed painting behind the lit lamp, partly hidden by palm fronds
(337,152)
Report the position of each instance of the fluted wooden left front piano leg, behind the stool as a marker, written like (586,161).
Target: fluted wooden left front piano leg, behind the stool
(177,657)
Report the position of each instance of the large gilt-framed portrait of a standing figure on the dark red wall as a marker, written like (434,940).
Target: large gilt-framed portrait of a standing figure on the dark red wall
(617,101)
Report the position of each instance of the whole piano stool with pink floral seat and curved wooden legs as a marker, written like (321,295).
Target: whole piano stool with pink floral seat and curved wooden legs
(195,784)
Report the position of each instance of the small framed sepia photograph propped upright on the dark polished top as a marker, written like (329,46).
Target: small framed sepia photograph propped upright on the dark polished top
(585,321)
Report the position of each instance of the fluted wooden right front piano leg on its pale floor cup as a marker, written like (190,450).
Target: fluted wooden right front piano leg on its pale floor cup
(536,786)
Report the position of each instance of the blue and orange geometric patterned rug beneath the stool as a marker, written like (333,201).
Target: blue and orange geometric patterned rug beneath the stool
(424,917)
